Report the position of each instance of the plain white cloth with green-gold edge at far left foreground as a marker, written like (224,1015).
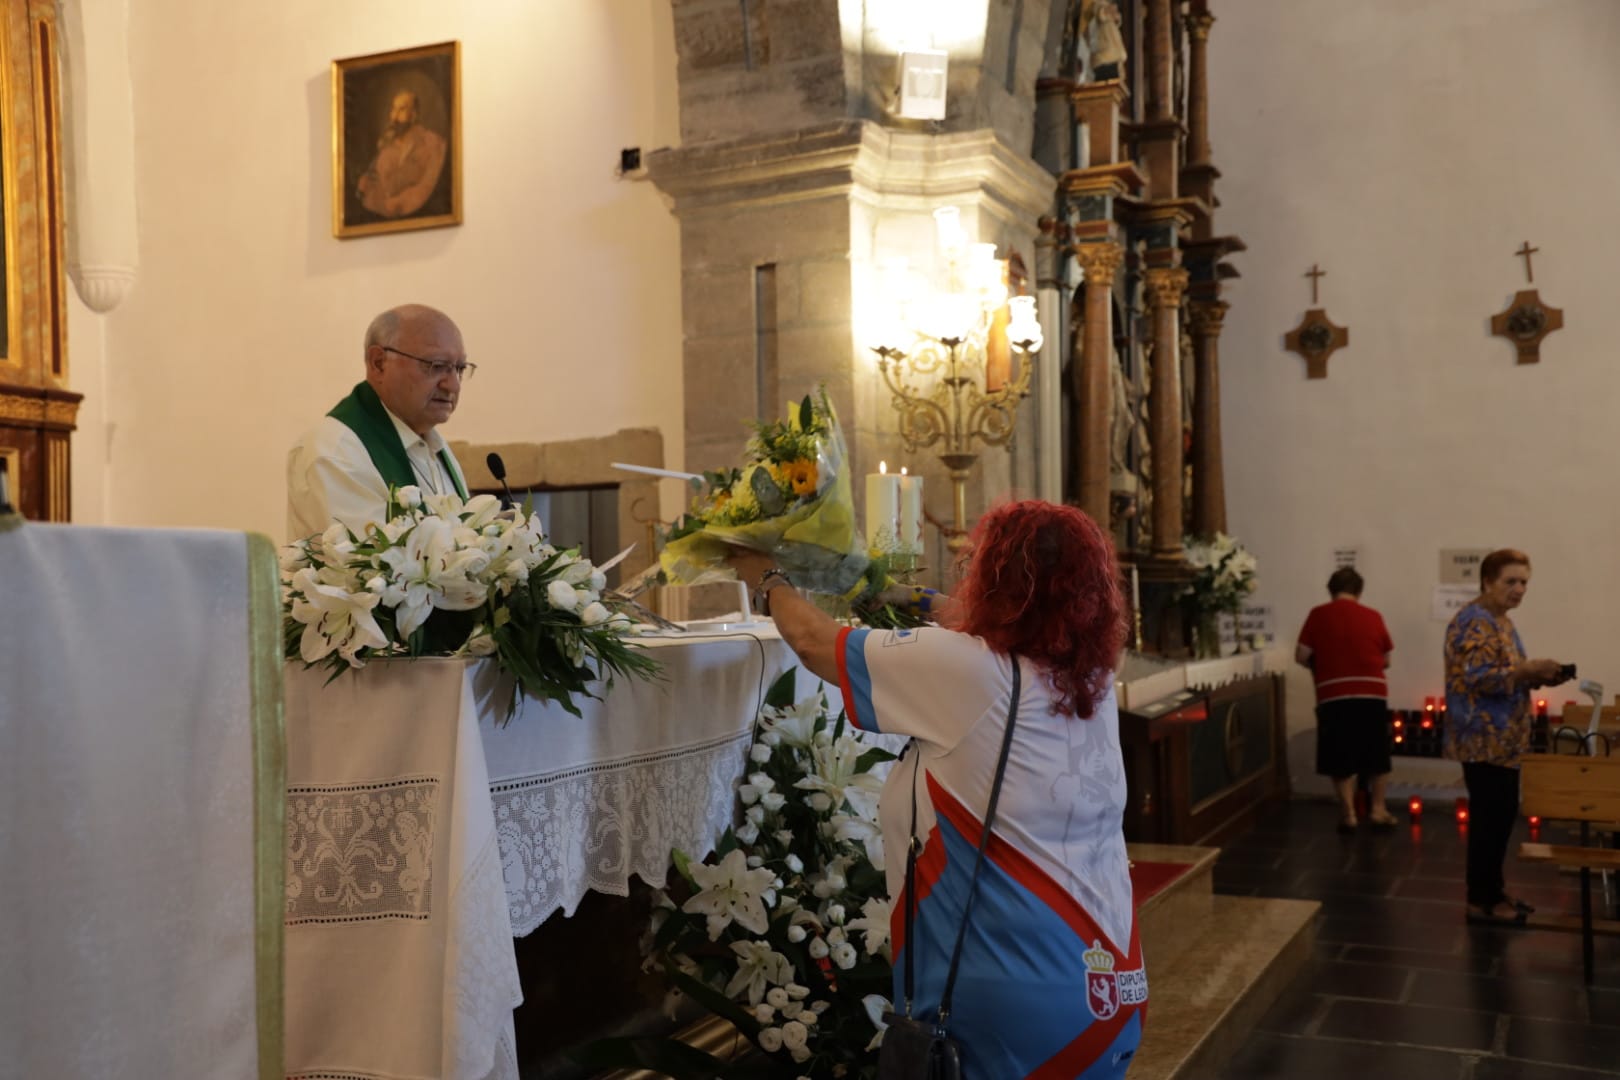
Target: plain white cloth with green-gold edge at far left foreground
(140,708)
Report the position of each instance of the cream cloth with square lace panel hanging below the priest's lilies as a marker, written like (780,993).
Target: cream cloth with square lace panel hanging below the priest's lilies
(399,950)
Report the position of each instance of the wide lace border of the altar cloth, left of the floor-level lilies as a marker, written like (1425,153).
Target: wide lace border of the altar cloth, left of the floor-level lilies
(592,828)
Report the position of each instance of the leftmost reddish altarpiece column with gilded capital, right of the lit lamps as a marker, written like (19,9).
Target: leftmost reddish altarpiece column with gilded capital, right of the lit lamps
(1101,261)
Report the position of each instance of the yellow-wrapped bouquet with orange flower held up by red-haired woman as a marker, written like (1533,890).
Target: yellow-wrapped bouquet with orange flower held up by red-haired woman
(791,500)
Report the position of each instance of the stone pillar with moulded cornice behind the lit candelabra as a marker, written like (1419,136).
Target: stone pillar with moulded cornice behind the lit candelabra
(782,239)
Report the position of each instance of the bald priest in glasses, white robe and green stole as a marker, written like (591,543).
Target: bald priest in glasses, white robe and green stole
(385,435)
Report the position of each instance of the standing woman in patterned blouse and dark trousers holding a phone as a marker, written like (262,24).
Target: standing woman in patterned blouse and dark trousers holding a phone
(1488,684)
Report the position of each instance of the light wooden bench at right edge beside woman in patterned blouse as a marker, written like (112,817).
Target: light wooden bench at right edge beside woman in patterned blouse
(1561,788)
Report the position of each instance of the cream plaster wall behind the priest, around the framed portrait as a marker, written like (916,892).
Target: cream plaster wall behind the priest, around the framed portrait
(249,315)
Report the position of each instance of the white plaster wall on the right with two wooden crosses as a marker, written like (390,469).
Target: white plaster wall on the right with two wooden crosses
(1410,148)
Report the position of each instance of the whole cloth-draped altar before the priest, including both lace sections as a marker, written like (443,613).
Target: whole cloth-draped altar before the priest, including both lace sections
(419,846)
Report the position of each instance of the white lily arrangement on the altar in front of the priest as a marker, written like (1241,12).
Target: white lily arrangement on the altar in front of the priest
(451,579)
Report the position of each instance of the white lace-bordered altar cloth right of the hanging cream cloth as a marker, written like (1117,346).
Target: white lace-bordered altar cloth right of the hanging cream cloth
(586,804)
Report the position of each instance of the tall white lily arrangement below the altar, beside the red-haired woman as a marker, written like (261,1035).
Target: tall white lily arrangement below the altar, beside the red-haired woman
(785,930)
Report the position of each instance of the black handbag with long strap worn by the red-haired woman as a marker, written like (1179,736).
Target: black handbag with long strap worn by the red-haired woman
(924,1050)
